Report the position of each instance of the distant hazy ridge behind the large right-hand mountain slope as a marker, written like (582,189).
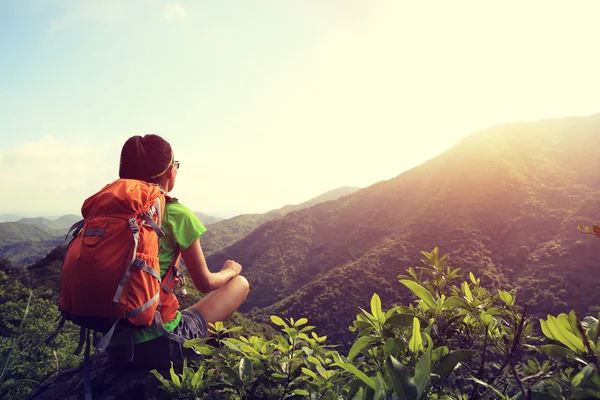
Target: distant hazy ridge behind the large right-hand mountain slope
(225,233)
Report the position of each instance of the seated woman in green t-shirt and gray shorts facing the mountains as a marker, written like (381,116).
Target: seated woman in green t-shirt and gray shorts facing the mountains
(150,158)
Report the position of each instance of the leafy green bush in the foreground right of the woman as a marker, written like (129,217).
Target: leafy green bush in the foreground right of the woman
(456,342)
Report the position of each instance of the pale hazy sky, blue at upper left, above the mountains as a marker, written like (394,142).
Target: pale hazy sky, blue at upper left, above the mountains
(268,103)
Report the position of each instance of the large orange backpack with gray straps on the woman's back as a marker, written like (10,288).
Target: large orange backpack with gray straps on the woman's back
(111,270)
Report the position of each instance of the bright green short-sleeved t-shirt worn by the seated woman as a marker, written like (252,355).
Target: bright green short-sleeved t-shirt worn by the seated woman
(182,227)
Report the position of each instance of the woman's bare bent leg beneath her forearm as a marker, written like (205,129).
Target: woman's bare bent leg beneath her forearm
(221,303)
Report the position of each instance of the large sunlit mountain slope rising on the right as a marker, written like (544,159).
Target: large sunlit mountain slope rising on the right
(504,203)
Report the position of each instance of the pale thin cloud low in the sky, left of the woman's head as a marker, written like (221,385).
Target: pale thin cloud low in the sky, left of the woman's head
(51,175)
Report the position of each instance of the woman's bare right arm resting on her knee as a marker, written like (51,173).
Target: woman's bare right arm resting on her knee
(203,279)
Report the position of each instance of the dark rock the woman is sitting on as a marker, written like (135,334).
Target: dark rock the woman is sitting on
(110,381)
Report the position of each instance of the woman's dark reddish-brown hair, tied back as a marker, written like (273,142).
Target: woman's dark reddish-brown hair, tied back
(144,157)
